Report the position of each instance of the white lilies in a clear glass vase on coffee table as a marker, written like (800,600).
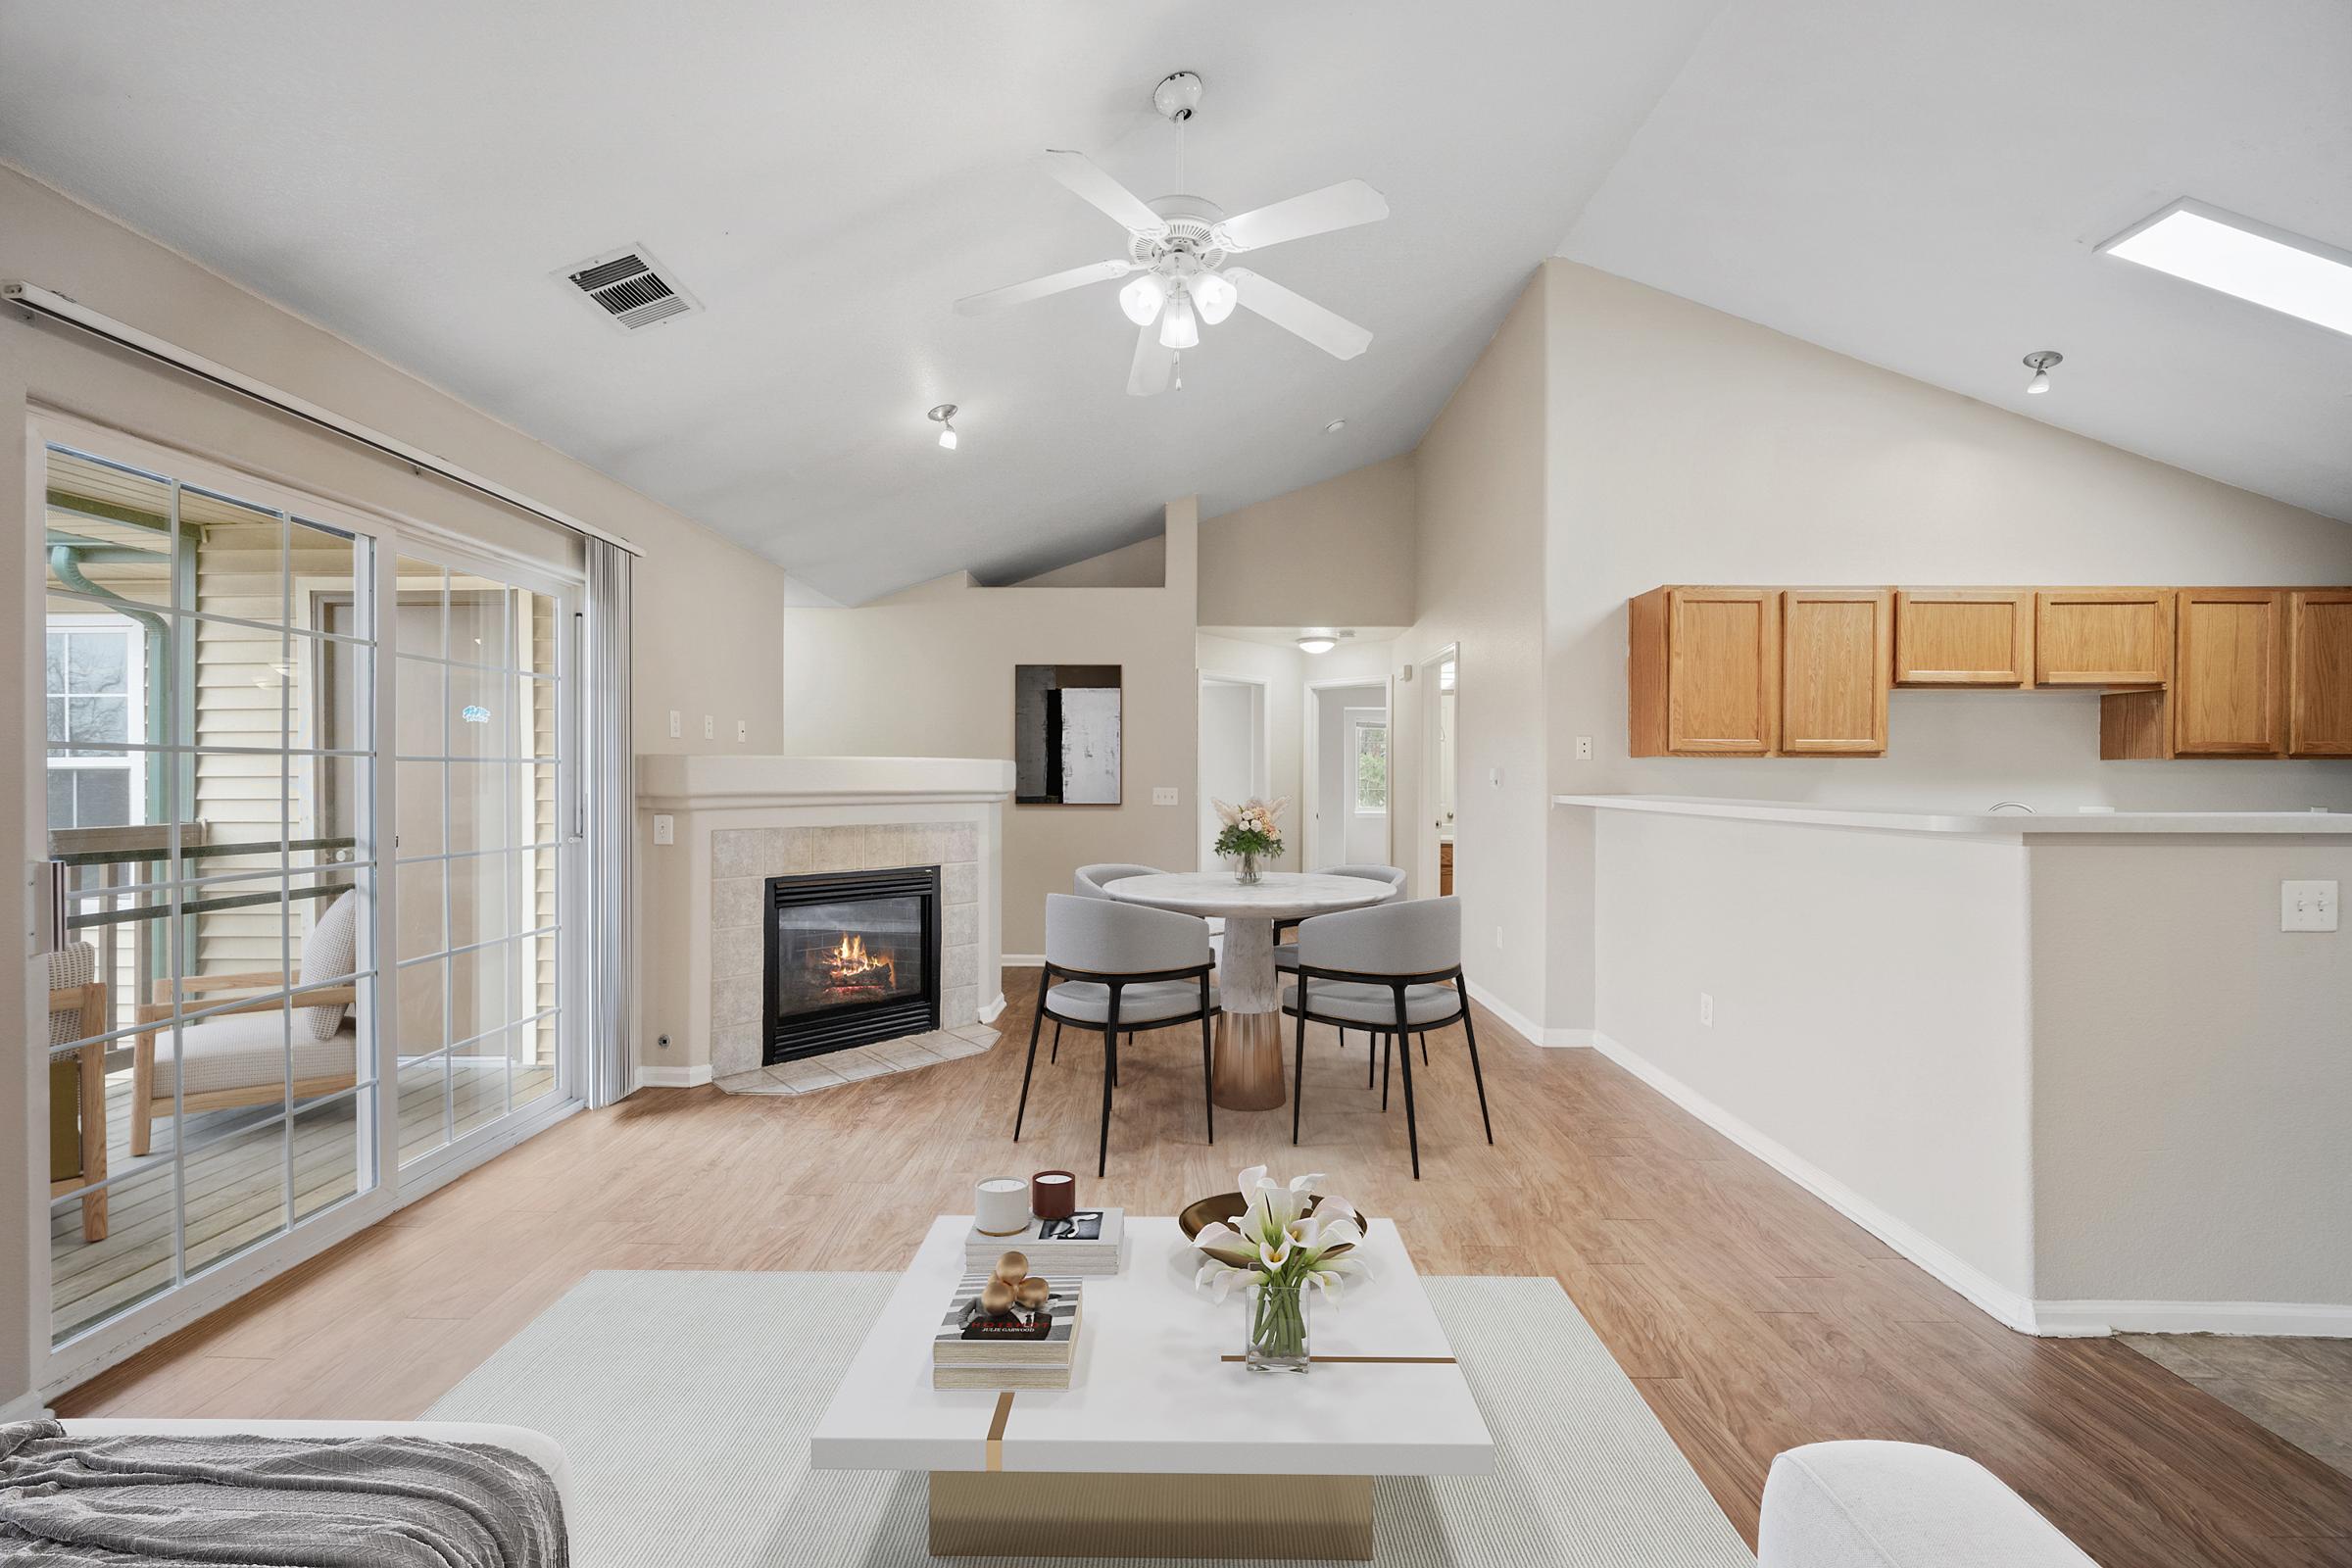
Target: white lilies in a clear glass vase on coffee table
(1288,1240)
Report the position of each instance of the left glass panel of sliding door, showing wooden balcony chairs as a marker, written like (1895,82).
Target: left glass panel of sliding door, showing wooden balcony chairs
(211,977)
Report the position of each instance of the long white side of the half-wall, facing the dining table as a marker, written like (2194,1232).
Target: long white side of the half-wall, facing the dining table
(1869,1010)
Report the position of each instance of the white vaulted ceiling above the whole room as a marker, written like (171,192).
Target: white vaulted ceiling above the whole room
(1911,185)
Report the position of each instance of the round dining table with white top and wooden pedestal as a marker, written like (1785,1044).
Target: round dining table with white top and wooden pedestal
(1248,1066)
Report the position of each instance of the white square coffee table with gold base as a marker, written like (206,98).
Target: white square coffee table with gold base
(1165,1445)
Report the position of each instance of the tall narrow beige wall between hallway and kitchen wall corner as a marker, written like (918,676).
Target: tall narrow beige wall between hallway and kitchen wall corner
(1481,481)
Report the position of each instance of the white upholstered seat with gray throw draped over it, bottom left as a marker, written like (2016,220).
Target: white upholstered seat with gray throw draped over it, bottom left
(298,1501)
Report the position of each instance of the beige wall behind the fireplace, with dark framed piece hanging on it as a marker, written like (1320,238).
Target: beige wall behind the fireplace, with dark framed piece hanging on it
(933,676)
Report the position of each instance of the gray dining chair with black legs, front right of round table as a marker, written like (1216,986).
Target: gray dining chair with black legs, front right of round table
(1394,972)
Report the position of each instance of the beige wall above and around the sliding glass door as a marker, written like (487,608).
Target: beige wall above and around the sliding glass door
(707,612)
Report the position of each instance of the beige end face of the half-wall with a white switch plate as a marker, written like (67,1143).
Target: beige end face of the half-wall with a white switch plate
(2193,1076)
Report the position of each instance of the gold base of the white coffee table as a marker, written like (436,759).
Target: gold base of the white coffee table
(977,1513)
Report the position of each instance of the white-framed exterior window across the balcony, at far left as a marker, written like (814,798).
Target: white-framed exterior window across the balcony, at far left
(93,697)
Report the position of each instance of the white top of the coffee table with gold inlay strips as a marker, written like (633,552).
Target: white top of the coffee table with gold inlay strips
(1151,1393)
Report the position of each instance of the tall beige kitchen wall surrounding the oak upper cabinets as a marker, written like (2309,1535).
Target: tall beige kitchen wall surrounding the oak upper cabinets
(1695,448)
